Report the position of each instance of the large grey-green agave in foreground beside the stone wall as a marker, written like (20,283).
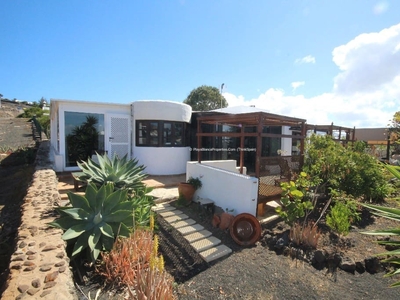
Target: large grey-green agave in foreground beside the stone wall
(96,219)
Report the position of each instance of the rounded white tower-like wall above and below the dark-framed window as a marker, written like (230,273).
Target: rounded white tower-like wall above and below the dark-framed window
(161,160)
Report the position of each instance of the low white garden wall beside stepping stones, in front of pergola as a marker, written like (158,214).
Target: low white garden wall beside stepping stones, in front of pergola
(229,190)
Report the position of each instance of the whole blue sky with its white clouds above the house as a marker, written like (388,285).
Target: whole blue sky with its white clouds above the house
(325,61)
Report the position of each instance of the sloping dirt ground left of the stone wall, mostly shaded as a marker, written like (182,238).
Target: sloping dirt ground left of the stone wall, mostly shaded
(16,172)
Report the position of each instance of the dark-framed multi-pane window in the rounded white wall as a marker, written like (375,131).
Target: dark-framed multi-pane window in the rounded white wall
(151,133)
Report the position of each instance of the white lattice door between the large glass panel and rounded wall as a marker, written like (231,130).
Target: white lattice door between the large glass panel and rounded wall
(118,137)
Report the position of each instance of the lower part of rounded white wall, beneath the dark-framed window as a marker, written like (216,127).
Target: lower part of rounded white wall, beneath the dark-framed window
(163,160)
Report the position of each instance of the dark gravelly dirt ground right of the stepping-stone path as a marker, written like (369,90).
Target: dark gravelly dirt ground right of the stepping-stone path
(261,272)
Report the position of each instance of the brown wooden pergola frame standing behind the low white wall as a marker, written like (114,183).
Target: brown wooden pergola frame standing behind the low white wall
(258,120)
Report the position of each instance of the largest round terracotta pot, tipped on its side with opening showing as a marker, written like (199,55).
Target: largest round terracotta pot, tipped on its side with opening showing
(245,229)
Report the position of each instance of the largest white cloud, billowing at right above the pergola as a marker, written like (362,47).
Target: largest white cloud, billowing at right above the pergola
(366,91)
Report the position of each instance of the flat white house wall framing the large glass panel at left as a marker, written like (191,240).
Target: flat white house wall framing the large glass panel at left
(58,107)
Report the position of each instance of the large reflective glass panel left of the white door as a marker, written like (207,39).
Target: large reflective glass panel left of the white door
(84,135)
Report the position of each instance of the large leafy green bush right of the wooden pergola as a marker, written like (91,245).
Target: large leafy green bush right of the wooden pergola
(348,169)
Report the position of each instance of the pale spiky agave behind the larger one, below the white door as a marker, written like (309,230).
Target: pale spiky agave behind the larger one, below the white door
(124,173)
